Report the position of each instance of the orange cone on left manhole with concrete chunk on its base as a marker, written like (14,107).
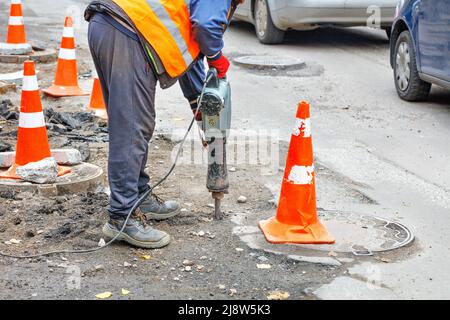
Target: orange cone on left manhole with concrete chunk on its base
(32,142)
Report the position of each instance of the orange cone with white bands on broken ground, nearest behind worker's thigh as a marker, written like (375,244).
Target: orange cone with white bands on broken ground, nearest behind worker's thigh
(66,79)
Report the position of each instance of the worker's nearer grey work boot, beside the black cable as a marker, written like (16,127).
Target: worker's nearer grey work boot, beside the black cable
(137,232)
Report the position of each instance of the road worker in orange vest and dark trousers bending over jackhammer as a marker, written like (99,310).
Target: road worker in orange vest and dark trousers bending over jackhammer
(134,45)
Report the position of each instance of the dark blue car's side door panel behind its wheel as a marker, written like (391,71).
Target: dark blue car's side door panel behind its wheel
(434,37)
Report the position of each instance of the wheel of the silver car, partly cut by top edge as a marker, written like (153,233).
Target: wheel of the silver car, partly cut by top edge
(265,29)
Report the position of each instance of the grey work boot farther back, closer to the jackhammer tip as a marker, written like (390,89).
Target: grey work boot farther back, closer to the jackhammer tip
(155,208)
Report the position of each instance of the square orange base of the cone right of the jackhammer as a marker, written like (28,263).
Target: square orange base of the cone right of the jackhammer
(277,232)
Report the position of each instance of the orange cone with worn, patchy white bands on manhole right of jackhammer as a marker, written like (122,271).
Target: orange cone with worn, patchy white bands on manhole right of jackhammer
(296,220)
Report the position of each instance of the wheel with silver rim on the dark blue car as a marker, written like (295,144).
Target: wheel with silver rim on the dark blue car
(407,81)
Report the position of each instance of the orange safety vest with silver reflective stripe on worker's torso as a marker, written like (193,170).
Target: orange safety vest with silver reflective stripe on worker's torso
(166,25)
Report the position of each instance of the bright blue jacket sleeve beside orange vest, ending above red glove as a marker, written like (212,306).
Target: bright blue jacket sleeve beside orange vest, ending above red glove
(209,19)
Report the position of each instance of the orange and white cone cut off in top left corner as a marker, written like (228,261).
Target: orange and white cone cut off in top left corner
(16,40)
